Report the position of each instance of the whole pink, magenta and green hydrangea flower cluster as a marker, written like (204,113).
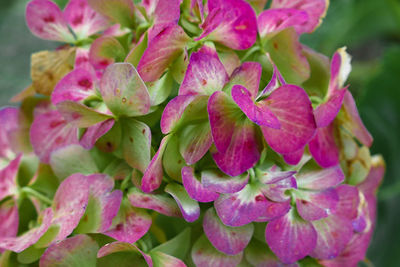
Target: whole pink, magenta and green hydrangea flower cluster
(185,133)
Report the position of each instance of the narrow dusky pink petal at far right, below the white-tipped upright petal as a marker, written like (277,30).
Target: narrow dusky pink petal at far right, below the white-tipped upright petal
(355,124)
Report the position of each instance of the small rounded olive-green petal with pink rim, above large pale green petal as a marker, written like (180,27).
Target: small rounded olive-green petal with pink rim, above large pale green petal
(105,51)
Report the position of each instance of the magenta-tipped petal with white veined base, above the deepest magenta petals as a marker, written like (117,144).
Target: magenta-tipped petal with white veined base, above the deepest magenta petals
(205,73)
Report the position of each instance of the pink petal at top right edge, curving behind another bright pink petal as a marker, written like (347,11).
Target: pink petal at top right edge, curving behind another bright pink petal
(316,10)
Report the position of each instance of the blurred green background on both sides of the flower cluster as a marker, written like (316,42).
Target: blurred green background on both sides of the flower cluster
(371,31)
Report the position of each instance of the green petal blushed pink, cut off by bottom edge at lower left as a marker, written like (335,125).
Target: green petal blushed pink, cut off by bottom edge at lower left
(79,250)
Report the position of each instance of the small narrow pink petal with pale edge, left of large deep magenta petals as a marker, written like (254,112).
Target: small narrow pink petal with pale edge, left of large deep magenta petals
(173,112)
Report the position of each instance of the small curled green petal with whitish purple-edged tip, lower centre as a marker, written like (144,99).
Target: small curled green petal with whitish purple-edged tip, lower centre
(190,208)
